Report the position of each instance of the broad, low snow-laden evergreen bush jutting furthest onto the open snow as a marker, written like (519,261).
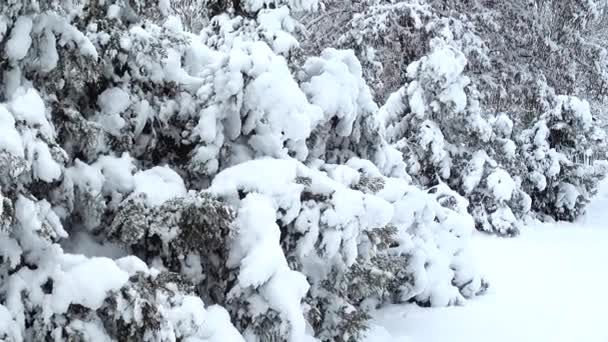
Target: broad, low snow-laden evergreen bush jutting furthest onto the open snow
(359,238)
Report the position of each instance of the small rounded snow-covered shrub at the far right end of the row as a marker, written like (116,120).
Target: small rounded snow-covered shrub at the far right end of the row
(559,151)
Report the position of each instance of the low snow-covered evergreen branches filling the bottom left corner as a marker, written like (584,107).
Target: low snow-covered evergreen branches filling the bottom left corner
(74,297)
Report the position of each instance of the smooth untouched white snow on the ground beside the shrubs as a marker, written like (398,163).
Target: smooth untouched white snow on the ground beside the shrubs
(548,285)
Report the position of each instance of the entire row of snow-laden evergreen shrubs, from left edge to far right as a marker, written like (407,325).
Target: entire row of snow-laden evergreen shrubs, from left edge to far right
(158,184)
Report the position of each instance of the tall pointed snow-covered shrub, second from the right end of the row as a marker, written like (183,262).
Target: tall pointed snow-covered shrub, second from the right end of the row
(436,122)
